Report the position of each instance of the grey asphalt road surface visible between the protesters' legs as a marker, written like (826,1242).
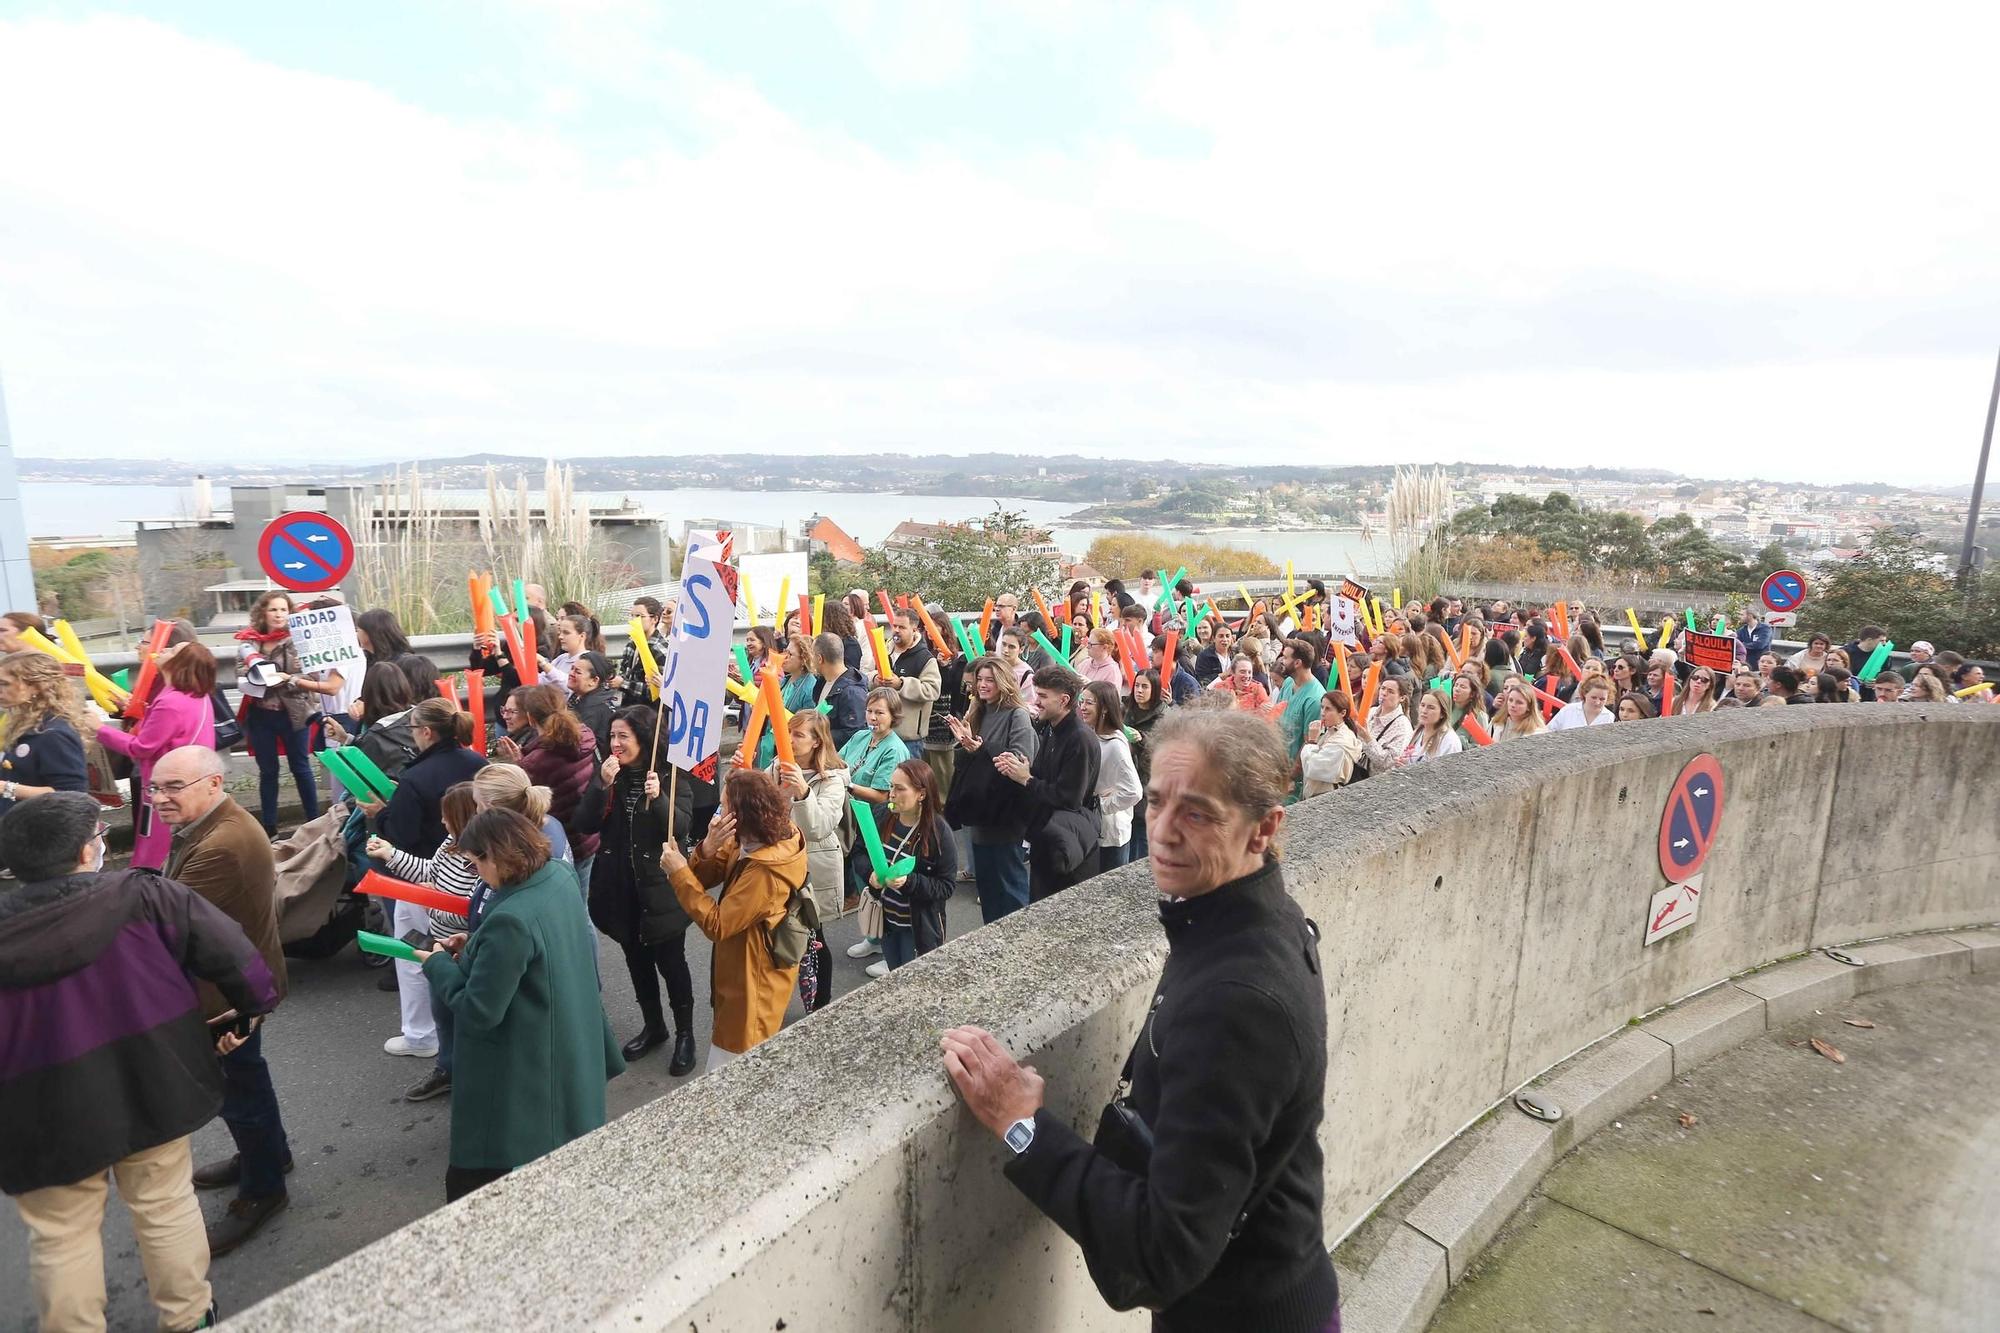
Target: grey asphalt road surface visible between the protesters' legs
(369,1162)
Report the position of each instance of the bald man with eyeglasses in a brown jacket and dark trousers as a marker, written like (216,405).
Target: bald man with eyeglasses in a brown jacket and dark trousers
(223,856)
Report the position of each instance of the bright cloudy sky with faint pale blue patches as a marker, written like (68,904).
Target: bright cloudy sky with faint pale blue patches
(1719,239)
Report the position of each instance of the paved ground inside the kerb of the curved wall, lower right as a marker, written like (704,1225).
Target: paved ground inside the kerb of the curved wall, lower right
(1803,1196)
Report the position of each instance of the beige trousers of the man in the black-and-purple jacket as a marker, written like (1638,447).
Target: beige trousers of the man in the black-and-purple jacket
(67,1244)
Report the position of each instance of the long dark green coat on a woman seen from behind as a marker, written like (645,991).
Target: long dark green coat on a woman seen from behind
(533,1044)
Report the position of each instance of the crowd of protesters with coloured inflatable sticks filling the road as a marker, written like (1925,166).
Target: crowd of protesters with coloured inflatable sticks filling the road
(1009,770)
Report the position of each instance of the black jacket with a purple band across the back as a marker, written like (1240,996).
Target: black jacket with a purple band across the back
(107,1048)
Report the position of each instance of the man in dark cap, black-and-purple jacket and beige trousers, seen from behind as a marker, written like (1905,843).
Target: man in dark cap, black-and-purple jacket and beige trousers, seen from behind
(113,1066)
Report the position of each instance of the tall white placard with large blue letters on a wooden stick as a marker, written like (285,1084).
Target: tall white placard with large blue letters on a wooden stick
(699,657)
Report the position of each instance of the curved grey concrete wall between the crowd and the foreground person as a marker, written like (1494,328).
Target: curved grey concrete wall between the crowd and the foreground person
(1481,916)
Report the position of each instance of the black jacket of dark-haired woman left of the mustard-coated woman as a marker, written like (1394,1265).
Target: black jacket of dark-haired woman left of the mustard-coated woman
(629,892)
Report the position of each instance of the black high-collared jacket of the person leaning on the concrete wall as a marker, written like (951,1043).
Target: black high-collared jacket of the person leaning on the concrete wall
(1231,1076)
